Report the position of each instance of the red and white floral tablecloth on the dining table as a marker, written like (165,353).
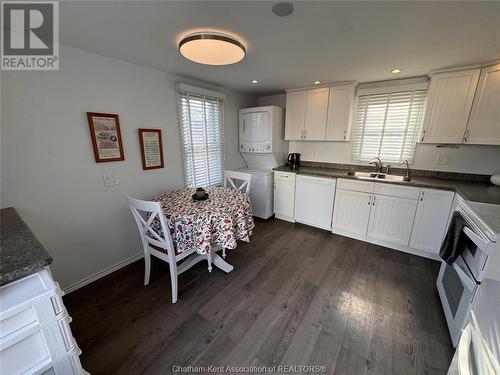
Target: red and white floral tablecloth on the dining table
(221,220)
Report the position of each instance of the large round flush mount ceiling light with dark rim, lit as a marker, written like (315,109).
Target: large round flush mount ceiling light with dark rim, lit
(212,49)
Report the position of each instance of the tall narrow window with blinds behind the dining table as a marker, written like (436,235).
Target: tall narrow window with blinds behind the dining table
(202,135)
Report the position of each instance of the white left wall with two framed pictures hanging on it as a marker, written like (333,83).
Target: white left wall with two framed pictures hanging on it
(48,168)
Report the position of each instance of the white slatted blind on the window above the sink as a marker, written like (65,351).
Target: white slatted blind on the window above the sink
(387,125)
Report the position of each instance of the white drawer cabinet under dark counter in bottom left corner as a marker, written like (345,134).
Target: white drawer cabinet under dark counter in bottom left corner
(35,336)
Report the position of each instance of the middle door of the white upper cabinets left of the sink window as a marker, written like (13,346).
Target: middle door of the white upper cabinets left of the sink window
(316,112)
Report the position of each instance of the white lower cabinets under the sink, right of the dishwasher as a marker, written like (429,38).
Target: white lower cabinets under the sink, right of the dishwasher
(402,217)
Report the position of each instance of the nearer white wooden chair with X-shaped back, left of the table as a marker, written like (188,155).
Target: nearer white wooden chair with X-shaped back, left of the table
(159,242)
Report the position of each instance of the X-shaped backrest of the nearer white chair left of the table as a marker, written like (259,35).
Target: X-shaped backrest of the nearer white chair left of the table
(151,223)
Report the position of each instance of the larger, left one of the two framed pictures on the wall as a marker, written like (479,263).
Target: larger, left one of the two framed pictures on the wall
(106,137)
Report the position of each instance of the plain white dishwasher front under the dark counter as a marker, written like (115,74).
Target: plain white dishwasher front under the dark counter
(314,201)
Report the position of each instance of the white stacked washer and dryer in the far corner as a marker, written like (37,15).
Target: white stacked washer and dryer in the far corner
(262,146)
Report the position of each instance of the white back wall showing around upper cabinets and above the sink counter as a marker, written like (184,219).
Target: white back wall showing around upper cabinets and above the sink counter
(465,158)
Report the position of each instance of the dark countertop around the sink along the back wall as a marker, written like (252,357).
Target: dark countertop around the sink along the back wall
(474,191)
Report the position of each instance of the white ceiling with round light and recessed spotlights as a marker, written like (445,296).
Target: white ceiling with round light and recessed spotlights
(327,41)
